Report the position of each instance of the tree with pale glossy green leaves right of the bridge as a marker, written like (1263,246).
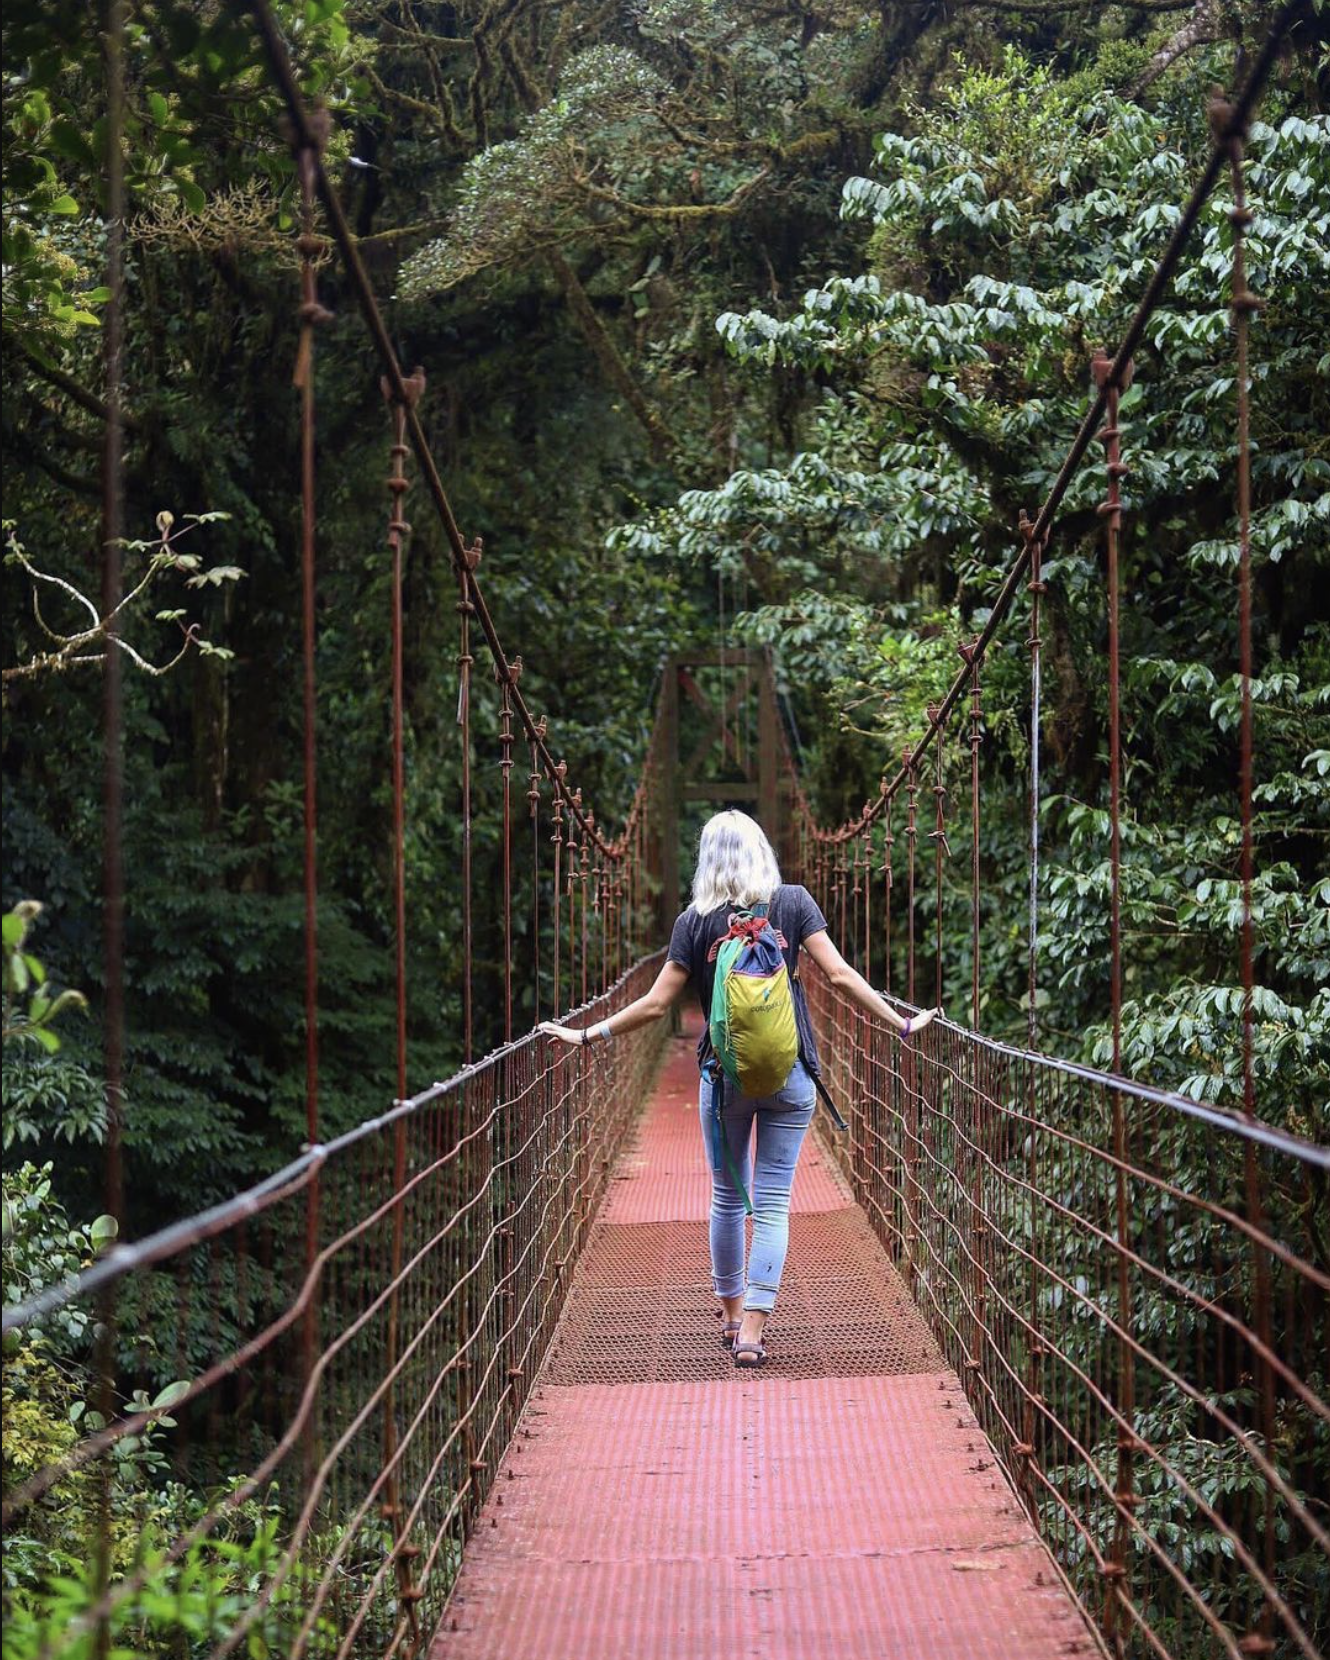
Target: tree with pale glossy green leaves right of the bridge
(1014,232)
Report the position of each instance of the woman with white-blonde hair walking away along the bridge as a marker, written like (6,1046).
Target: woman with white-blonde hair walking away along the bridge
(738,896)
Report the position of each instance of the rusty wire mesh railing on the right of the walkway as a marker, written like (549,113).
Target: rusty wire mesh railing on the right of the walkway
(1128,1302)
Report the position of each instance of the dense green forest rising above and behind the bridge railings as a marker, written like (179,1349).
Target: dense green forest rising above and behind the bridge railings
(750,323)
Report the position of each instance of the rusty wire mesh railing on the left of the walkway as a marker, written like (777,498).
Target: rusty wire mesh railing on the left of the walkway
(298,1453)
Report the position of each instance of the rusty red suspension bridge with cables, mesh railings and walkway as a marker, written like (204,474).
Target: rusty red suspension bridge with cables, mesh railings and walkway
(464,1357)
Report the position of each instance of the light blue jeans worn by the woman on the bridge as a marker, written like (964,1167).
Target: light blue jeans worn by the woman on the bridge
(783,1121)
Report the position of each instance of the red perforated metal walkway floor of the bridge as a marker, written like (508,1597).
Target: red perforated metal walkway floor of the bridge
(655,1503)
